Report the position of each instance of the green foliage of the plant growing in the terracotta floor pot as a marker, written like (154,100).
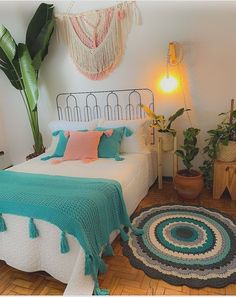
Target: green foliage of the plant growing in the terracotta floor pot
(189,150)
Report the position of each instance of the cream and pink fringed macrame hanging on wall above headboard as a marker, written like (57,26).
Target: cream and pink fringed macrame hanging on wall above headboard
(96,39)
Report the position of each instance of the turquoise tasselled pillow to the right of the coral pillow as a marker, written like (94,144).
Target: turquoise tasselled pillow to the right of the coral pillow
(109,146)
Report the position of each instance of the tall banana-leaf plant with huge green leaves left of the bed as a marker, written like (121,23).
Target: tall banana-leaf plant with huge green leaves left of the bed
(21,63)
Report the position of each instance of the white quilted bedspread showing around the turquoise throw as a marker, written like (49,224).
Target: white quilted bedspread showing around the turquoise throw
(135,174)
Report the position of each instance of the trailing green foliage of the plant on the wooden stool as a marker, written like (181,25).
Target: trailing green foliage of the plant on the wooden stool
(225,132)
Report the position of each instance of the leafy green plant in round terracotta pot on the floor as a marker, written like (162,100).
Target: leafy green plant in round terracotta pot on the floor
(188,182)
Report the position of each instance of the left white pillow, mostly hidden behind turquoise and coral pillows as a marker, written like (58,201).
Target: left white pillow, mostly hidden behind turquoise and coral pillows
(67,126)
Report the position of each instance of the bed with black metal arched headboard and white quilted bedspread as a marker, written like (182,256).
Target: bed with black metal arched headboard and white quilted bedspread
(136,173)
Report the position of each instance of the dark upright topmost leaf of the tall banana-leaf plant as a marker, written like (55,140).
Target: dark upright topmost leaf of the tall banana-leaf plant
(39,32)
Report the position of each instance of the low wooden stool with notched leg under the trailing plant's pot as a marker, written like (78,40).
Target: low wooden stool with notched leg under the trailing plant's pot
(224,177)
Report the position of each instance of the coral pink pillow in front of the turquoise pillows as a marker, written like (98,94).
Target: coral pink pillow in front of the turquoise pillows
(82,145)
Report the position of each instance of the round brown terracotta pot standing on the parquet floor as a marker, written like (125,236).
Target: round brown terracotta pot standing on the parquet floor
(188,187)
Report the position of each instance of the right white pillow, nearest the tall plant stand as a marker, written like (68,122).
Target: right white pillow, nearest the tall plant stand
(136,143)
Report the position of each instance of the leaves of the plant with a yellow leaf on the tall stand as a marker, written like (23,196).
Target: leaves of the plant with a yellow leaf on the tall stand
(161,123)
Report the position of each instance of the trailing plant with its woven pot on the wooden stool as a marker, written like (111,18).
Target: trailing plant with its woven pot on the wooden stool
(221,145)
